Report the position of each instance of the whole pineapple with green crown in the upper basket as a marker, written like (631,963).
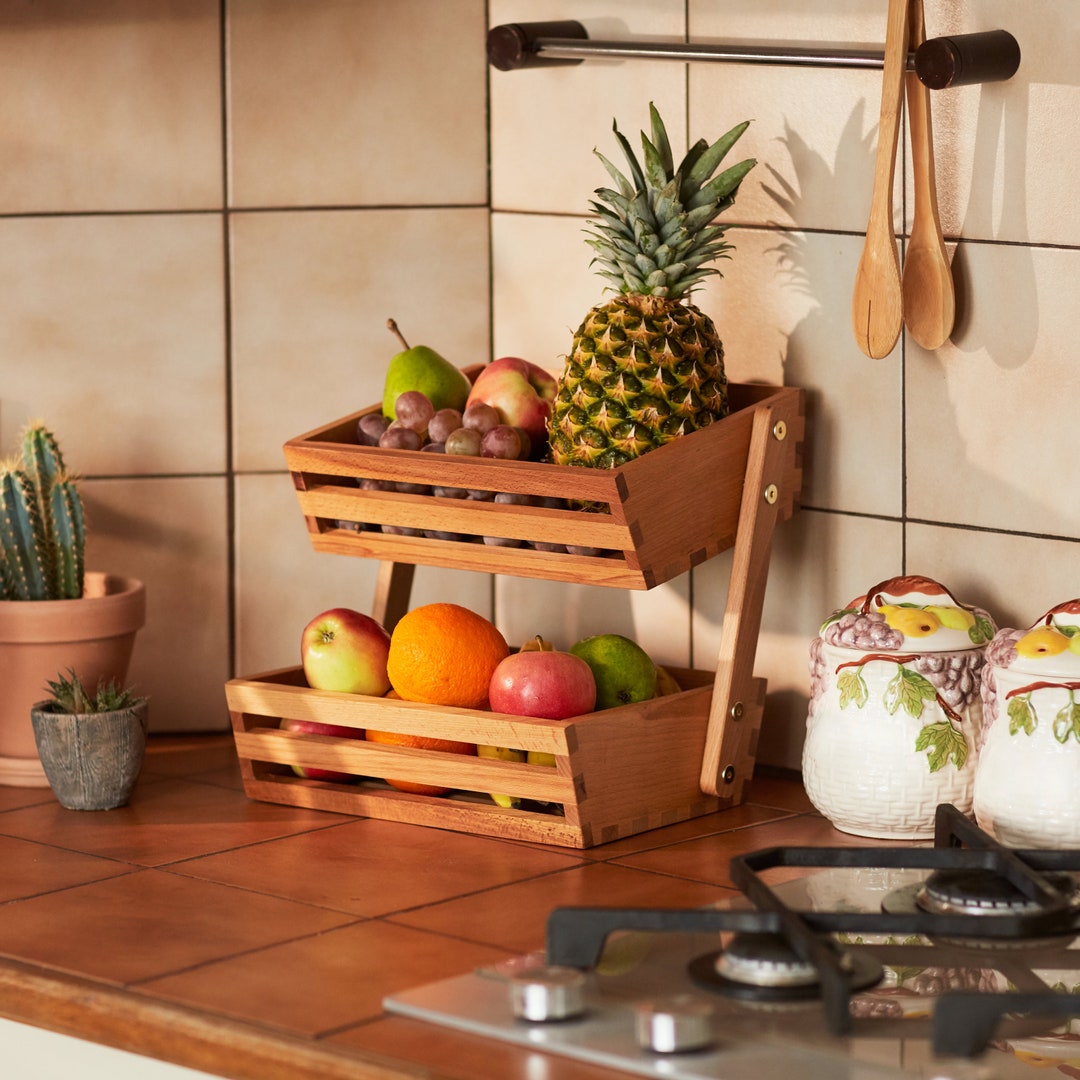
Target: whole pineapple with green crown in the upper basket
(649,367)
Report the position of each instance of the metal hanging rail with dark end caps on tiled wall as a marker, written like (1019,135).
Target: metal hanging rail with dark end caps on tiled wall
(990,57)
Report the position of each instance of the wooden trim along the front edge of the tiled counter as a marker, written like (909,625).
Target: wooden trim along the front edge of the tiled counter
(128,1020)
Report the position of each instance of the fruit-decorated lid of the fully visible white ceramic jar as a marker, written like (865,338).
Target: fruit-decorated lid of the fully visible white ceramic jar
(909,615)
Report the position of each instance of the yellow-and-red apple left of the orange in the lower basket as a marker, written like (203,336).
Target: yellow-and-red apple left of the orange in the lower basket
(346,651)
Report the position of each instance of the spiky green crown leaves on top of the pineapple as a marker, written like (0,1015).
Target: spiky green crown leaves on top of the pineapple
(655,235)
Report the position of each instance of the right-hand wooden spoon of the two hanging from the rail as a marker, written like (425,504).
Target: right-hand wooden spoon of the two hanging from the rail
(929,294)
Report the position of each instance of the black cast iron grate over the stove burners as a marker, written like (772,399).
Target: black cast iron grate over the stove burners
(1042,908)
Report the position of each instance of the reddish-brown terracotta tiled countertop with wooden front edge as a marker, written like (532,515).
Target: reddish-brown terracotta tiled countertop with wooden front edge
(258,941)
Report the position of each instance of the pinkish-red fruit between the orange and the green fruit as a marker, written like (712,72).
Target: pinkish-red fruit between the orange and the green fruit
(547,684)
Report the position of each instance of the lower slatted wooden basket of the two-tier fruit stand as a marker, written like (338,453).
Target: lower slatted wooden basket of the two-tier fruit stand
(618,773)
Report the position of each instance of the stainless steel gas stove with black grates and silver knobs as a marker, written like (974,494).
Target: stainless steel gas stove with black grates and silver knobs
(957,962)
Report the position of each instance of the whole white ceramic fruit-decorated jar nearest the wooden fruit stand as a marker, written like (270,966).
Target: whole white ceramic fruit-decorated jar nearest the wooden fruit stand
(895,709)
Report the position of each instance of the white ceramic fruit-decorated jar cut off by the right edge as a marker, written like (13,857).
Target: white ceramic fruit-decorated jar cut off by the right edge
(1028,784)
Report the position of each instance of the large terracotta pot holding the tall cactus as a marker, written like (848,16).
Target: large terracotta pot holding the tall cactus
(40,640)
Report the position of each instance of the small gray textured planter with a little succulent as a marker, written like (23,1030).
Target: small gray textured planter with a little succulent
(92,761)
